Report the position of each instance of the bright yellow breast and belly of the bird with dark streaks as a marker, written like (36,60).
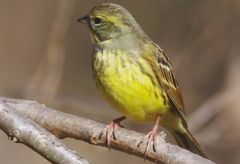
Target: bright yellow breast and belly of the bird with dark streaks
(129,85)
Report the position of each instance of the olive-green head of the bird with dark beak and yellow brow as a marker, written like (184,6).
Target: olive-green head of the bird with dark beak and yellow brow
(109,21)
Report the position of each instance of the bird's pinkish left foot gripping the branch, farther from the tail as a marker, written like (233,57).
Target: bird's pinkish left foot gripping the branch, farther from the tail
(110,129)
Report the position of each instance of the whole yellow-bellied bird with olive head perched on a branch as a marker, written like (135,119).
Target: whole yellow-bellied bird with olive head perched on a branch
(135,76)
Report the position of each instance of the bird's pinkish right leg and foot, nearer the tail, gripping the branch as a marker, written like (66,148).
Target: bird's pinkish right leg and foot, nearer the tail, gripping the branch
(151,136)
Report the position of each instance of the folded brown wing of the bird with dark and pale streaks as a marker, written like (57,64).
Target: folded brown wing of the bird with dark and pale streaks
(168,81)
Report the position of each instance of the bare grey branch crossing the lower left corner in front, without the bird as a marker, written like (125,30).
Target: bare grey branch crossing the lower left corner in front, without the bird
(21,129)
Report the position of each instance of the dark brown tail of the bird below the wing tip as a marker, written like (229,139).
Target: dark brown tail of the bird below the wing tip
(187,141)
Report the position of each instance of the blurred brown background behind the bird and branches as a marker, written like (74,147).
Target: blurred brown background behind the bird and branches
(45,55)
